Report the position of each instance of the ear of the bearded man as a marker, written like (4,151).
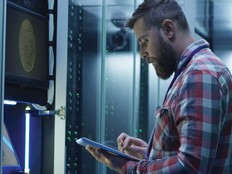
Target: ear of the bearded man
(168,28)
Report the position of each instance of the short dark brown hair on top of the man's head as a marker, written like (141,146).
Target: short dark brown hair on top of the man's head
(154,12)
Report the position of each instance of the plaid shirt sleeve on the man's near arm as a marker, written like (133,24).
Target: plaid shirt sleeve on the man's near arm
(197,109)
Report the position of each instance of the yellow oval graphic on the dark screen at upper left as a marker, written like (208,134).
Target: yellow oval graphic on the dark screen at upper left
(27,45)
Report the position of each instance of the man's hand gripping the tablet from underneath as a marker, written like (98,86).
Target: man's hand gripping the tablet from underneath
(111,160)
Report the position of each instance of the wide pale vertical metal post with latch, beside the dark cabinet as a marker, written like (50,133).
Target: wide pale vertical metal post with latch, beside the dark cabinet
(61,81)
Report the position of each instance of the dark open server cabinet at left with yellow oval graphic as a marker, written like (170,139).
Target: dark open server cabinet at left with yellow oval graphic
(26,59)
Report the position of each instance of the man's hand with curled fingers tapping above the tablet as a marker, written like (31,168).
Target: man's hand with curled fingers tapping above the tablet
(132,146)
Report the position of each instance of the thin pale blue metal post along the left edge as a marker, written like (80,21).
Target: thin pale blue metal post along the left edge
(2,67)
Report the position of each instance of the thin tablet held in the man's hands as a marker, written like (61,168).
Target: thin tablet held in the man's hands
(85,141)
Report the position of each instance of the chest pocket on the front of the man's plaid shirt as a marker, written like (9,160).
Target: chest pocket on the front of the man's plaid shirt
(166,137)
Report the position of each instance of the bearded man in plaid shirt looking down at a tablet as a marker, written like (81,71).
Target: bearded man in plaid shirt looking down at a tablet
(193,132)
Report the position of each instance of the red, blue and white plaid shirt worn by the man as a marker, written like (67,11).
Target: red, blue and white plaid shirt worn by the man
(193,132)
